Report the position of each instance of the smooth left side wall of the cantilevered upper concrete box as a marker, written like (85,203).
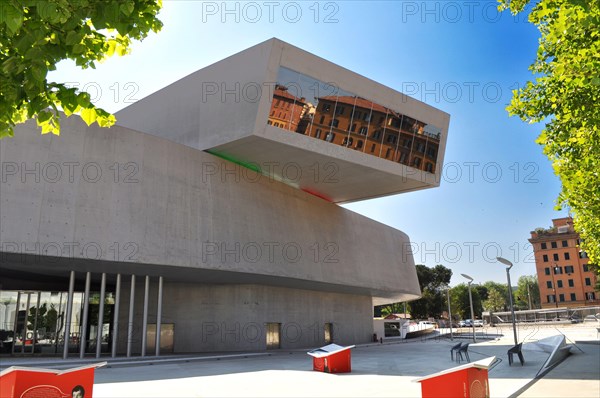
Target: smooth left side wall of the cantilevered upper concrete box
(215,105)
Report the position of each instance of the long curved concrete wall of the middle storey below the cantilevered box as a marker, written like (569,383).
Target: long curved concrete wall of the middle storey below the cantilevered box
(132,200)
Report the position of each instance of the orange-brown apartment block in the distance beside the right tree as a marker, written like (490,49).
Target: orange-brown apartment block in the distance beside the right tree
(562,268)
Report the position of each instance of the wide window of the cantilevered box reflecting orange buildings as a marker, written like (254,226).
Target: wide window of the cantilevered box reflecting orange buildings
(307,106)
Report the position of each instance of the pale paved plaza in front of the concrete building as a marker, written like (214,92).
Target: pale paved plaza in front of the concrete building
(382,370)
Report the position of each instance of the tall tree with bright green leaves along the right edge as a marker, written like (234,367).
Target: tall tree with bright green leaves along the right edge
(566,96)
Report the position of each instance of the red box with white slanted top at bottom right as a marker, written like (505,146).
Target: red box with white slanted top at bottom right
(468,381)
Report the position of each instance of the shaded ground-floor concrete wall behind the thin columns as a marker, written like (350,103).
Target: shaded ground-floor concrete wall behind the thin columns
(233,318)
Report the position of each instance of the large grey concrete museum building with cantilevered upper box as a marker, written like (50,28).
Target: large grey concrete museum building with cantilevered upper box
(196,217)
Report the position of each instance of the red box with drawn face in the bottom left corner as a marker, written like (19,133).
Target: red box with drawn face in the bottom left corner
(22,382)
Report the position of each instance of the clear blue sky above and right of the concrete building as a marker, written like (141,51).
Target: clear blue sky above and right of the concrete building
(461,57)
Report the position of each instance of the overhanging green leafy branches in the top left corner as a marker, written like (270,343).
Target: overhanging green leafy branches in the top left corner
(37,34)
